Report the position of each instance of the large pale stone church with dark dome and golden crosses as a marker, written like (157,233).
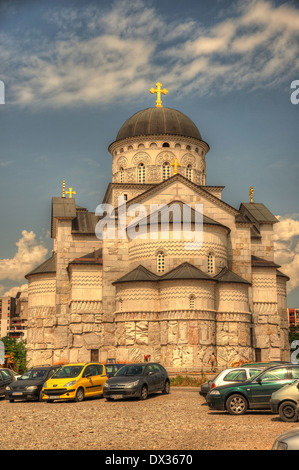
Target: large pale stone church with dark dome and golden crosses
(127,297)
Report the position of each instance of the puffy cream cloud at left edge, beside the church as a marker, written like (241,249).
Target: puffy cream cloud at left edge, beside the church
(29,254)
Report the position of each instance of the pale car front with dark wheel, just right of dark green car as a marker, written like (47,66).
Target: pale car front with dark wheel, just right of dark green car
(284,402)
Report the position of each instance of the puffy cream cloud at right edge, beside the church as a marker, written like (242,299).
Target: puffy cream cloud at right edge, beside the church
(286,245)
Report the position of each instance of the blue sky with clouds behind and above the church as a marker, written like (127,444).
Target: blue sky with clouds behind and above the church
(74,71)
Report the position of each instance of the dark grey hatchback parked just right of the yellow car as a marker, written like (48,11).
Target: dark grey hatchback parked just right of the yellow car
(137,380)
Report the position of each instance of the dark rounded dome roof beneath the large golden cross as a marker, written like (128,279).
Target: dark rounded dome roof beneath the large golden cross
(154,121)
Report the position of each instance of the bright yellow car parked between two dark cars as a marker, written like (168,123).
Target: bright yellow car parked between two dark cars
(75,382)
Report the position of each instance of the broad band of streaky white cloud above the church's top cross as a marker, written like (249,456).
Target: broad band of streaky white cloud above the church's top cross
(114,52)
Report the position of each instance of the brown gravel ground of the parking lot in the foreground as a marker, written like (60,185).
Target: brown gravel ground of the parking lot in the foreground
(179,421)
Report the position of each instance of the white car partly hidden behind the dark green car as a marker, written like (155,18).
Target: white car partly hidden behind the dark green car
(227,376)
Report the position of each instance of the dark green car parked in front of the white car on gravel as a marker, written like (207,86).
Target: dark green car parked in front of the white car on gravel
(254,394)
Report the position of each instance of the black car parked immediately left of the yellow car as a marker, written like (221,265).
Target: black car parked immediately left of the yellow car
(29,385)
